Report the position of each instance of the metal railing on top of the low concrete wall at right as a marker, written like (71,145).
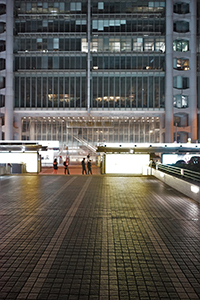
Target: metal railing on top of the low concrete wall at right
(185,174)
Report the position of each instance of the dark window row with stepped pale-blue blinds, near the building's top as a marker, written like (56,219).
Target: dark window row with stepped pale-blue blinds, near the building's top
(80,25)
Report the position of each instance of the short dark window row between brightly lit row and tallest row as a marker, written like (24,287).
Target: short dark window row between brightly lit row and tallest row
(153,62)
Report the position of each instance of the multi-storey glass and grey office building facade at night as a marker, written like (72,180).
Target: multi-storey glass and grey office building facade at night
(89,72)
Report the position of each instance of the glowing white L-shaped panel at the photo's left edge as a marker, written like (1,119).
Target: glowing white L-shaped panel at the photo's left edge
(30,159)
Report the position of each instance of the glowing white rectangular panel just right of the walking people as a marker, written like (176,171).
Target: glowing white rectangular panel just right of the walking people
(126,163)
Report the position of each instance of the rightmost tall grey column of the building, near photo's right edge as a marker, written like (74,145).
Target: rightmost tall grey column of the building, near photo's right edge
(193,72)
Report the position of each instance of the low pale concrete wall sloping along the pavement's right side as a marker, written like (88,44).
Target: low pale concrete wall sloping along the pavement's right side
(189,189)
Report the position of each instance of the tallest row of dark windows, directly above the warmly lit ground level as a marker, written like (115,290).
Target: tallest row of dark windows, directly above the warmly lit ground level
(119,92)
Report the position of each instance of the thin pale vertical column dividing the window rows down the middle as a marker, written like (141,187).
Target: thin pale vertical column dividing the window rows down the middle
(88,56)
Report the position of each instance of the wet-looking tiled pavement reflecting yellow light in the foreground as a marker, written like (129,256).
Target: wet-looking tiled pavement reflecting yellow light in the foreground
(97,237)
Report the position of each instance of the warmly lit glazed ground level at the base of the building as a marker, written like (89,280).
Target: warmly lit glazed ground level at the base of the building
(66,132)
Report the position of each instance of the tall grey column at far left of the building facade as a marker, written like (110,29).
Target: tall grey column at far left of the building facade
(9,94)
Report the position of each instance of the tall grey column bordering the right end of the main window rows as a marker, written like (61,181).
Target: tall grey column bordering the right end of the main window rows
(169,116)
